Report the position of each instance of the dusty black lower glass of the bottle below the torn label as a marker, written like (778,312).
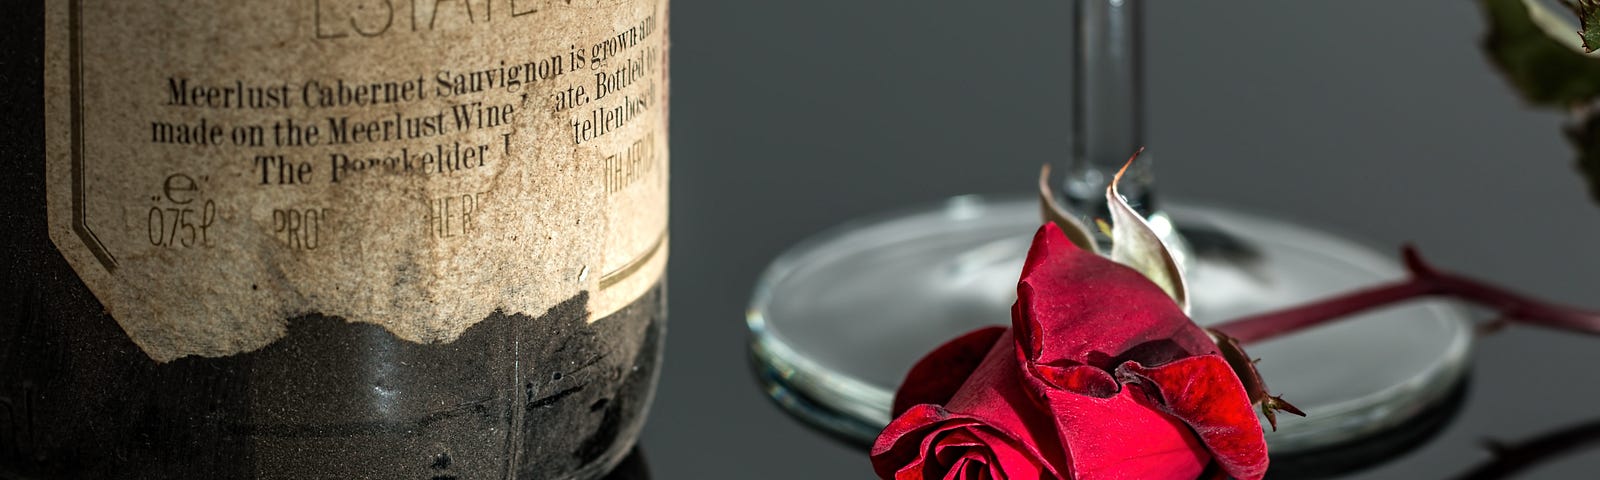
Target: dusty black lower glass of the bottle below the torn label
(82,402)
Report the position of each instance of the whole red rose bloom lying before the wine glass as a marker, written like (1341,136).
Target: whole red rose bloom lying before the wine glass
(1100,377)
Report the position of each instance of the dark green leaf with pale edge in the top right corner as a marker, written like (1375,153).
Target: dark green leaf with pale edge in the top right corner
(1526,44)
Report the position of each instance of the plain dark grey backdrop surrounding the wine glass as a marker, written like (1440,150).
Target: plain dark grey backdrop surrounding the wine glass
(1375,119)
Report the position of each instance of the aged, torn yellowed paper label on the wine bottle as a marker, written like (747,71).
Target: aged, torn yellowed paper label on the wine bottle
(218,167)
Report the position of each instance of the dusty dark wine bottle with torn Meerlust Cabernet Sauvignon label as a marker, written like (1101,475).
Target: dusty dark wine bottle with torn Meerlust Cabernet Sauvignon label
(332,239)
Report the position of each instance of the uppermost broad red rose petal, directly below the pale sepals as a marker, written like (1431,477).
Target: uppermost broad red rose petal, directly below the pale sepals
(1076,308)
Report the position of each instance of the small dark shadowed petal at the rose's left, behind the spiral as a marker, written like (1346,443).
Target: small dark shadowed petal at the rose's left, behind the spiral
(937,377)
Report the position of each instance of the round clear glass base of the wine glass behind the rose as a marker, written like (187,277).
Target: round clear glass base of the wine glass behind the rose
(839,319)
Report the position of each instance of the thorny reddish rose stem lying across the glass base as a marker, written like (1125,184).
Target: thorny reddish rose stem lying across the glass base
(1425,281)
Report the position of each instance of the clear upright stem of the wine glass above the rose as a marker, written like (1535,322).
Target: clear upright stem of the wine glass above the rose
(1108,108)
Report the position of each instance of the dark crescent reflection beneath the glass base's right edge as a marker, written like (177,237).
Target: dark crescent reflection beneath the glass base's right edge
(1370,452)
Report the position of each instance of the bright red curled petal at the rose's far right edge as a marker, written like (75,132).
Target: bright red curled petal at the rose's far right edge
(1207,396)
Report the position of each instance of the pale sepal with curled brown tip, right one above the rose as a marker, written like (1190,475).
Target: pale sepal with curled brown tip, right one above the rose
(1137,246)
